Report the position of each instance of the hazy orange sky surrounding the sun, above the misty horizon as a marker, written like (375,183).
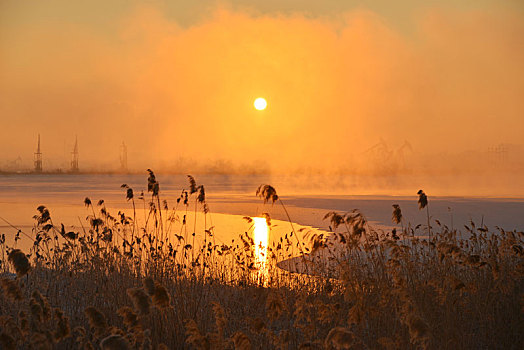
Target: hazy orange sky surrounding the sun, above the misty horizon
(178,78)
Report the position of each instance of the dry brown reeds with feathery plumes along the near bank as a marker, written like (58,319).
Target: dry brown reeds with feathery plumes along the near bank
(115,285)
